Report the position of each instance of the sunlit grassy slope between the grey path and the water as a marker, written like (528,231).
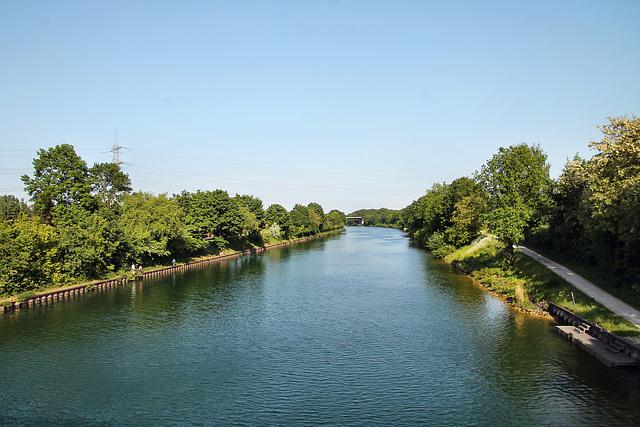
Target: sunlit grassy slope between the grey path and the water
(527,284)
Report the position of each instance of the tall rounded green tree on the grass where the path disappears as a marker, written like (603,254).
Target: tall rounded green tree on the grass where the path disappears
(517,183)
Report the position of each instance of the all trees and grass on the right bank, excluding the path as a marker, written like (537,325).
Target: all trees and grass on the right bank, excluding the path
(588,219)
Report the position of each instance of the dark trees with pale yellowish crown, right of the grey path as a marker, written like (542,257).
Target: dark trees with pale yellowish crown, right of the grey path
(597,204)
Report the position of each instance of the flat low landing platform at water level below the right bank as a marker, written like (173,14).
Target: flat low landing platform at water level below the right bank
(608,354)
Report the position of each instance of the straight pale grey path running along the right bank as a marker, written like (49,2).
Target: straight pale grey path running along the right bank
(612,303)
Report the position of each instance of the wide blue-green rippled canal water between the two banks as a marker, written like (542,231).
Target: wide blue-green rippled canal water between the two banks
(358,328)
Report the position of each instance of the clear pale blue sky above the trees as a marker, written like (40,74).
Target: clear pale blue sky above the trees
(350,104)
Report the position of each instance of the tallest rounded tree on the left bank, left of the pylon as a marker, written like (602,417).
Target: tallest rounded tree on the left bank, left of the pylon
(60,177)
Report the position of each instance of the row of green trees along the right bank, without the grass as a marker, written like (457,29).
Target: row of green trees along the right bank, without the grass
(591,212)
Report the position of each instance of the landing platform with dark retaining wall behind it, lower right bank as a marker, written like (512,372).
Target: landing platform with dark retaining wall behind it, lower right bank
(613,351)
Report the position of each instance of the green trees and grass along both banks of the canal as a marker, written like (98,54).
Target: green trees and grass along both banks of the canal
(86,223)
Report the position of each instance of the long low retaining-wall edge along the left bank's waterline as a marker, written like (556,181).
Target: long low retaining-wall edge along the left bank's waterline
(60,293)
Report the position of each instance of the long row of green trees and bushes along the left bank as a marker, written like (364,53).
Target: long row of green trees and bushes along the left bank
(86,222)
